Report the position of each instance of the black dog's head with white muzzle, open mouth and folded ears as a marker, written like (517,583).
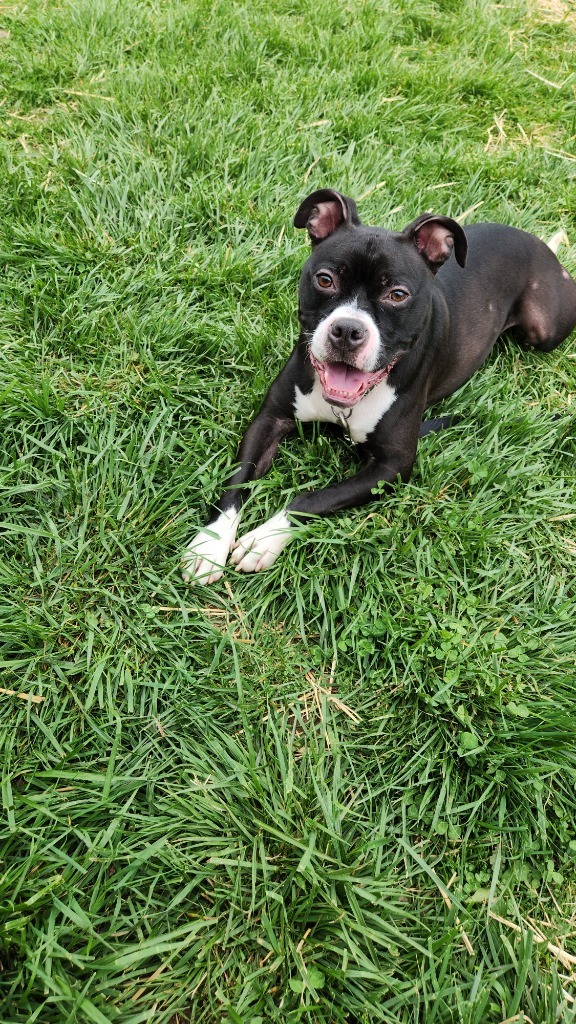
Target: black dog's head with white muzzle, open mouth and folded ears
(365,292)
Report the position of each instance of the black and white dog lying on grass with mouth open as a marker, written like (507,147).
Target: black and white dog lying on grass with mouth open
(391,323)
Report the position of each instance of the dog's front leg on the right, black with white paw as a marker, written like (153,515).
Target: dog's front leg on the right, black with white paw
(260,549)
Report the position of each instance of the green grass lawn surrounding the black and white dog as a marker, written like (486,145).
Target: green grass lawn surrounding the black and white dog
(343,791)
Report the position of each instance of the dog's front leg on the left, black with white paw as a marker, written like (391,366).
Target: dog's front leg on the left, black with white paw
(205,557)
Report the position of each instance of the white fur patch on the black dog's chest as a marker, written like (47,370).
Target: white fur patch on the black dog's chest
(360,421)
